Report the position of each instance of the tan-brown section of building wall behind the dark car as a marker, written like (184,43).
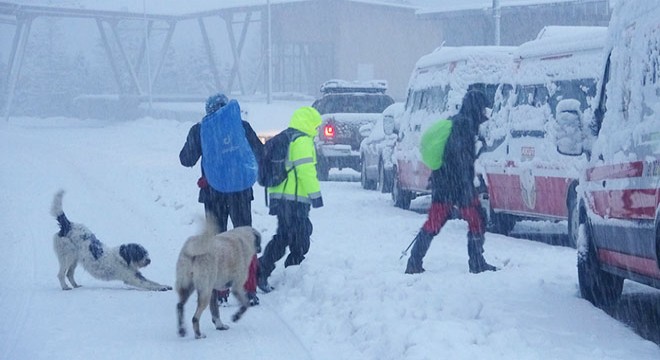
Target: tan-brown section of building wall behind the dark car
(358,40)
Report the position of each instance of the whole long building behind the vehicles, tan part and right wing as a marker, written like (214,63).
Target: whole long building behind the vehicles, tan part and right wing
(349,40)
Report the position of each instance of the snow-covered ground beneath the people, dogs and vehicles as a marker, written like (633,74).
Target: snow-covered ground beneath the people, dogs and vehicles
(348,300)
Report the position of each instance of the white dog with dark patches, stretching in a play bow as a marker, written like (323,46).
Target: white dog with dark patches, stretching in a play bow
(75,243)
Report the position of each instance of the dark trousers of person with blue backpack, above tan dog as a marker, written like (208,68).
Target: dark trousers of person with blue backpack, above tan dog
(237,206)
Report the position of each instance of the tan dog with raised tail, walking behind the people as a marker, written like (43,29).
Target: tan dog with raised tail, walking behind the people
(214,261)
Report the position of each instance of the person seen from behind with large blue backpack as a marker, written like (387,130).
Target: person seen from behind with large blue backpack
(230,151)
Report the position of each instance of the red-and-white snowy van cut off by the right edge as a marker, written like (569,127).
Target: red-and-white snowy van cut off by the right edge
(617,221)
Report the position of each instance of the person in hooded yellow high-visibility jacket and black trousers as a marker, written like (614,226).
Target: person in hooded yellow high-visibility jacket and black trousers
(292,199)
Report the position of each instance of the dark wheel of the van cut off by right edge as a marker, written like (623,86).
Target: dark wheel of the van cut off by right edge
(596,285)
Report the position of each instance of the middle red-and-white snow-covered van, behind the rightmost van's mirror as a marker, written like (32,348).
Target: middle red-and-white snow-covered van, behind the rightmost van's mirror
(525,177)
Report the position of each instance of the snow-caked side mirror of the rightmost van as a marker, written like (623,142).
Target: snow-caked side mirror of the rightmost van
(570,133)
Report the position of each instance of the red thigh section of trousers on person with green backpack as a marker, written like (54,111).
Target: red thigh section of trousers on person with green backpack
(439,214)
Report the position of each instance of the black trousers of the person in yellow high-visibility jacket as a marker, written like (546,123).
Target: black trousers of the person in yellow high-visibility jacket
(293,231)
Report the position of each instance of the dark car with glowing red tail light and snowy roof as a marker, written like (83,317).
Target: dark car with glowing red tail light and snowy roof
(345,107)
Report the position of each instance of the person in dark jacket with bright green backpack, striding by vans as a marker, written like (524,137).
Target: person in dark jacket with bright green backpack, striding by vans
(449,149)
